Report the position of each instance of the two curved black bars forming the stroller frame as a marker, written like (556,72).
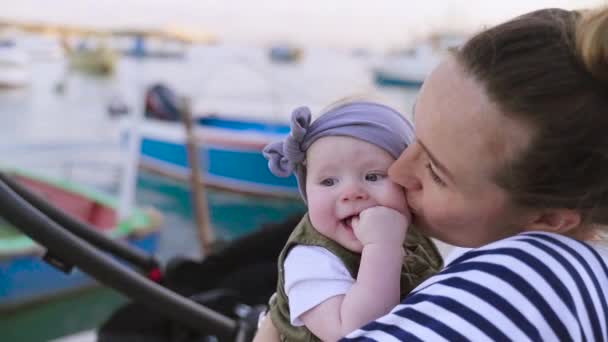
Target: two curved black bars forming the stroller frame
(70,242)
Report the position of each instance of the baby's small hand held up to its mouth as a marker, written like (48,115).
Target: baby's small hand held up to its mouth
(381,225)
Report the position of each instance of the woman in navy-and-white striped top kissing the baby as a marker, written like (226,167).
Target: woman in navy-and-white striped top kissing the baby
(511,158)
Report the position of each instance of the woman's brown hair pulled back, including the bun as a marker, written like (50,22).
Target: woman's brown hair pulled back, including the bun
(549,70)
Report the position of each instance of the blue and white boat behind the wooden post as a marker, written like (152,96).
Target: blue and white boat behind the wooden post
(230,151)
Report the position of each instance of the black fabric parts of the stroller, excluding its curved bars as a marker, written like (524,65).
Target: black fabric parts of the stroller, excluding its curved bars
(236,281)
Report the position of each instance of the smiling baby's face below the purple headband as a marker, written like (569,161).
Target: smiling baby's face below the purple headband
(344,177)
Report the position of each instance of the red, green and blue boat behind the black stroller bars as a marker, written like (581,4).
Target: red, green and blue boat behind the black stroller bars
(25,278)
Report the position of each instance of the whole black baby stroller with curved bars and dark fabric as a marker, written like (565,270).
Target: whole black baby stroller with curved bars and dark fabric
(218,299)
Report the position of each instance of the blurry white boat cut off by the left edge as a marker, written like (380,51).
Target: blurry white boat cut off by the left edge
(14,65)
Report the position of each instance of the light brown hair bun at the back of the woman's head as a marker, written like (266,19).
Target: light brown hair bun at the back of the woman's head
(592,42)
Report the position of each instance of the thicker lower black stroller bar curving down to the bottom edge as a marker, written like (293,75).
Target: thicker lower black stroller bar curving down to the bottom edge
(73,249)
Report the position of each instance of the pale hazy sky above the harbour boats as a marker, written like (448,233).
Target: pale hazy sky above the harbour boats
(361,23)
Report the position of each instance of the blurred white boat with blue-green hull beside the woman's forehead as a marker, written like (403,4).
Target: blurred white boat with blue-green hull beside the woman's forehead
(409,68)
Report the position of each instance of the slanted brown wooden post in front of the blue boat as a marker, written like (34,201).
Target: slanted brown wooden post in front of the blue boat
(199,200)
